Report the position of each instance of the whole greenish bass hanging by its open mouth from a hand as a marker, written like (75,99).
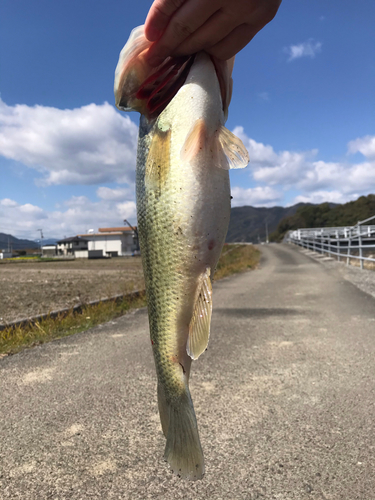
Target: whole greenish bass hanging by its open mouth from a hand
(183,208)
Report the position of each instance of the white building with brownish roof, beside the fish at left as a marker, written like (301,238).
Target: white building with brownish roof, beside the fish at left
(111,242)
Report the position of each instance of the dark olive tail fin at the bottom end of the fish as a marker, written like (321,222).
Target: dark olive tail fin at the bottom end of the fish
(183,450)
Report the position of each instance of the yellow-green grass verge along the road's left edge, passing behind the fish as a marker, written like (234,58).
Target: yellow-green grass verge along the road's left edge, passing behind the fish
(234,258)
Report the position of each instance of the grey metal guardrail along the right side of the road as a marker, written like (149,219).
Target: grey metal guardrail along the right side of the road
(339,242)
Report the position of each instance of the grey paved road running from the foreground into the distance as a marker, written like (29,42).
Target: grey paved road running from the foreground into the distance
(285,399)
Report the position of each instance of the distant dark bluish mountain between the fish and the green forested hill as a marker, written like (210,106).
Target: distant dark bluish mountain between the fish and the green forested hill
(249,223)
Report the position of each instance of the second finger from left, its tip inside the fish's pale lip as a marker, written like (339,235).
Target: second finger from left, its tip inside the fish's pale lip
(183,23)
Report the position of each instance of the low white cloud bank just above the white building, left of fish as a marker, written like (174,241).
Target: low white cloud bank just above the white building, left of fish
(77,216)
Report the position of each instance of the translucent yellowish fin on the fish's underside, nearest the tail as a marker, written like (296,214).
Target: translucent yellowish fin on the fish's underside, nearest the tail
(199,328)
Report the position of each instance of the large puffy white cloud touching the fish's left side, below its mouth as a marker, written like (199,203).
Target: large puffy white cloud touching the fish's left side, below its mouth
(88,145)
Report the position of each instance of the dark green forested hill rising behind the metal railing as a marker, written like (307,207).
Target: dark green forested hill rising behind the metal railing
(326,215)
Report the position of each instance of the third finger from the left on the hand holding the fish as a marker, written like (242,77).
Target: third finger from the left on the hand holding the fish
(217,27)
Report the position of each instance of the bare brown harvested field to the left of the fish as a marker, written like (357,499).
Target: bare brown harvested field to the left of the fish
(29,288)
